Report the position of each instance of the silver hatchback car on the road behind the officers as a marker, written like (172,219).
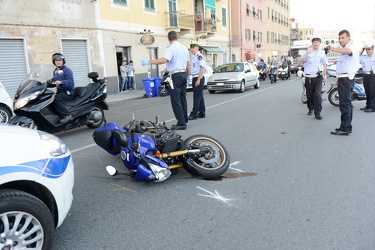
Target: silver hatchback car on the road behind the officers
(233,76)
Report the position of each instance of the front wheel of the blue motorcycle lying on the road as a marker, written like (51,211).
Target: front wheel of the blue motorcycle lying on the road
(210,165)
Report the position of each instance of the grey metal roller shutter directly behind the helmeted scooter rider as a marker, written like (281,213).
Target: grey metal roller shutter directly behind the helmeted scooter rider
(76,57)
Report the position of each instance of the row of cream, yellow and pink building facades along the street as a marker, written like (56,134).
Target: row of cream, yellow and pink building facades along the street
(96,35)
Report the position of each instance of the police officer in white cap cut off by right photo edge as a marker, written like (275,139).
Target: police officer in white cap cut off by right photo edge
(368,66)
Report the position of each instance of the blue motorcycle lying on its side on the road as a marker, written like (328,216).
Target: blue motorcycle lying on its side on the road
(151,150)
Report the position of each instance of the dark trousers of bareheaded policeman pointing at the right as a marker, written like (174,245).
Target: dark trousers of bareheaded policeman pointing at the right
(345,87)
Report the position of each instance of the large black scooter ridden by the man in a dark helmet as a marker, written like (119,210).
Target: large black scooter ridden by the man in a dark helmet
(34,109)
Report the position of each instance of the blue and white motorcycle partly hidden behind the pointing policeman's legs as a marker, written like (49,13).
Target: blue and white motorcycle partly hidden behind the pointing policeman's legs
(358,92)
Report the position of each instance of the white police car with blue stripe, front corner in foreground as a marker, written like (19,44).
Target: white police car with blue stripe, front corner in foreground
(36,182)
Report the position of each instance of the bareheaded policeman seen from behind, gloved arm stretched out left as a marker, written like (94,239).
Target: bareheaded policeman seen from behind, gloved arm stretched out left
(177,59)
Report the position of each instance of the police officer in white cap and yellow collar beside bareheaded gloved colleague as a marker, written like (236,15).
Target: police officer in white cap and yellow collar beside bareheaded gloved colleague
(198,66)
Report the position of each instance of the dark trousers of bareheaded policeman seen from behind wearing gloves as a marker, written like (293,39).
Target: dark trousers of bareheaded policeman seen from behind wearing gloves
(178,98)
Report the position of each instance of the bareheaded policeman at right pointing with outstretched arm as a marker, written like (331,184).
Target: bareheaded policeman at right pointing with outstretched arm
(347,66)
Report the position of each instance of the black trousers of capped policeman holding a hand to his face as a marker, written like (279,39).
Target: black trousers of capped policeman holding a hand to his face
(314,93)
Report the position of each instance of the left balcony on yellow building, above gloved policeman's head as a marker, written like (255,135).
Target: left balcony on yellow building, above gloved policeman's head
(179,22)
